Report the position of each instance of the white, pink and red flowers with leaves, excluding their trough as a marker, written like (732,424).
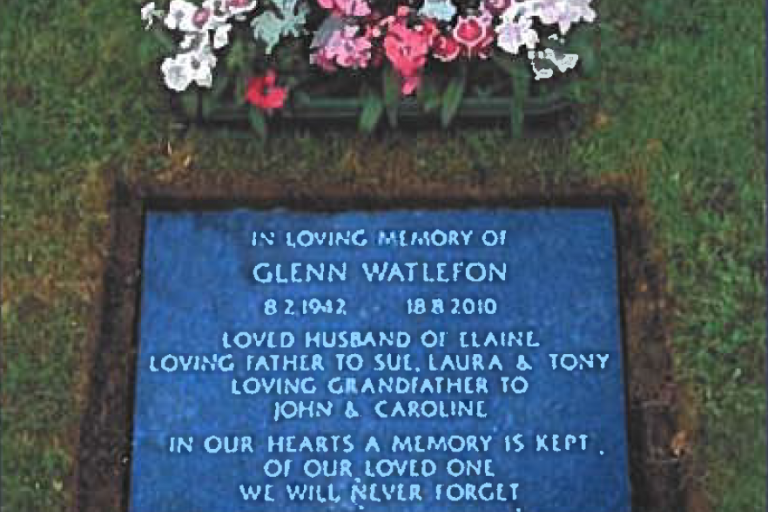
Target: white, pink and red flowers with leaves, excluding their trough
(280,51)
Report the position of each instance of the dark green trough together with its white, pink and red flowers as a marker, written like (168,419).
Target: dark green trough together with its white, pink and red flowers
(368,60)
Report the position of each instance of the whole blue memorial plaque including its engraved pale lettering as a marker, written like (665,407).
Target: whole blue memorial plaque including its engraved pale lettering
(538,390)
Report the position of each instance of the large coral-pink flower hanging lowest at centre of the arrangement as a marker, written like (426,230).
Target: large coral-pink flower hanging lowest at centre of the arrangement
(407,50)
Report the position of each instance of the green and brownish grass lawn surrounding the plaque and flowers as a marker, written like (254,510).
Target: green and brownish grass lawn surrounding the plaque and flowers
(682,111)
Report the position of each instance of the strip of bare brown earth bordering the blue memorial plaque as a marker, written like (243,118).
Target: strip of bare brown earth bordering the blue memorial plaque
(655,403)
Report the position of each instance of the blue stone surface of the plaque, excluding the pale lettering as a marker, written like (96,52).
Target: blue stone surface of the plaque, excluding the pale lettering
(198,283)
